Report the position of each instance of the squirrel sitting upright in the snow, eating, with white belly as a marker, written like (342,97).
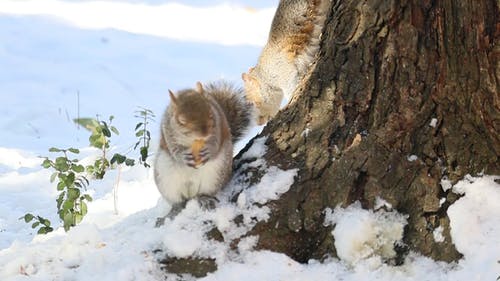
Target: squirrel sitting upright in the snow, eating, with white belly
(198,130)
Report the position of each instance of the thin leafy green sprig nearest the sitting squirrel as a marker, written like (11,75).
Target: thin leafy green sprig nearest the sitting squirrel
(142,132)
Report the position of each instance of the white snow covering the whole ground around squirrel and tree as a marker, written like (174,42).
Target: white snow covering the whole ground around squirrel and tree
(64,59)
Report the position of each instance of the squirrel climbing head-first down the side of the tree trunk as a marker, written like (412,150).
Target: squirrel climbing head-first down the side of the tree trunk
(292,45)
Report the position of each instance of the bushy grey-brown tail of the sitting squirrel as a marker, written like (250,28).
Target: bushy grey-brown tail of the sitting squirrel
(236,107)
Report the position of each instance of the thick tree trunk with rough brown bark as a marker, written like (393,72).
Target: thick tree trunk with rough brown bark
(393,79)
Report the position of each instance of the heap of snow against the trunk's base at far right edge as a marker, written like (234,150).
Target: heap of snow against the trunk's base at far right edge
(475,225)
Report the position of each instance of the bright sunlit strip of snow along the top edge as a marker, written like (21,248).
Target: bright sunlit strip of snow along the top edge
(239,25)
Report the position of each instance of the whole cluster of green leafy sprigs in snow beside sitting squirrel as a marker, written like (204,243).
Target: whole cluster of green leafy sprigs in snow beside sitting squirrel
(71,175)
